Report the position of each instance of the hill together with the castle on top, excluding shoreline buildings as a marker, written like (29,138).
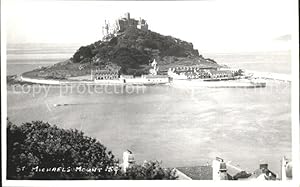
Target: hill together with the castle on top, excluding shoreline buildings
(128,46)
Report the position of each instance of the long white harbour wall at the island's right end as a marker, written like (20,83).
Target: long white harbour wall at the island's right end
(239,83)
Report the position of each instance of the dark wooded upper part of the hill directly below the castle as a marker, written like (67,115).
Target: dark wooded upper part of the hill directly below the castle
(135,48)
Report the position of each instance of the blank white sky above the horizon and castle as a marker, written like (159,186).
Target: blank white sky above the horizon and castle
(211,25)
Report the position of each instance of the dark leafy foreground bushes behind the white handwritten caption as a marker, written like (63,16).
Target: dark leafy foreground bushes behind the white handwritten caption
(38,150)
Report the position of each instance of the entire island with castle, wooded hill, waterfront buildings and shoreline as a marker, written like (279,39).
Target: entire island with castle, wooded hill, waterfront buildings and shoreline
(130,53)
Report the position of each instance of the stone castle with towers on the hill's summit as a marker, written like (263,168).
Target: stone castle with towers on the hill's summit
(121,25)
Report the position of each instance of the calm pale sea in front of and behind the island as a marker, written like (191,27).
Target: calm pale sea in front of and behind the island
(181,127)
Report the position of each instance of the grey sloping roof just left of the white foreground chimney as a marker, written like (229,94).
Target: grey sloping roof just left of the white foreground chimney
(197,172)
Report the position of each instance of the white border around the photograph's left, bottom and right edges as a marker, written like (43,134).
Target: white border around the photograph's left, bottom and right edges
(295,129)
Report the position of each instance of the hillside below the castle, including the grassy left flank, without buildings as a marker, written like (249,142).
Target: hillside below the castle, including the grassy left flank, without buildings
(131,51)
